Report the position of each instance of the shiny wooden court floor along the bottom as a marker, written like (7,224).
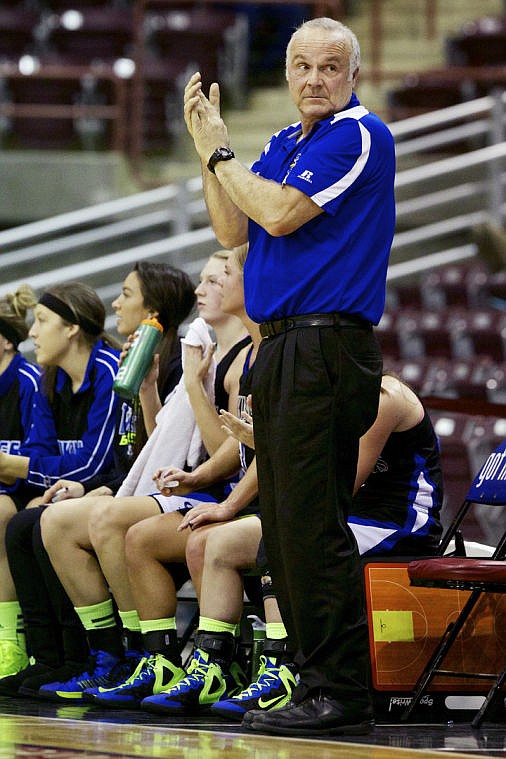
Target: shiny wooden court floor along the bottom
(32,729)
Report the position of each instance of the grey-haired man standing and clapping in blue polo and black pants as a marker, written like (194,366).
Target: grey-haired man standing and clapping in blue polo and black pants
(318,211)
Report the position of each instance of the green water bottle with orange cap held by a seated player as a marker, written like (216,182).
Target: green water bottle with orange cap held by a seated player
(138,359)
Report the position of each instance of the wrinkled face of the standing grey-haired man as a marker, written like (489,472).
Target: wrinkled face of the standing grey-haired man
(318,77)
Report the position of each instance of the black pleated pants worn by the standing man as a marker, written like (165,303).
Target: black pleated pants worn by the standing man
(315,392)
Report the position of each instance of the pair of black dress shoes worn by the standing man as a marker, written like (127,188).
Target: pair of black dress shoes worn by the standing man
(319,715)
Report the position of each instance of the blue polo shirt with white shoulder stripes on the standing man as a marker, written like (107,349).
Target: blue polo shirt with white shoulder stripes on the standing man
(337,262)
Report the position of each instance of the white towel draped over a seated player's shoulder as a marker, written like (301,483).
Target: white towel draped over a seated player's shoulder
(176,439)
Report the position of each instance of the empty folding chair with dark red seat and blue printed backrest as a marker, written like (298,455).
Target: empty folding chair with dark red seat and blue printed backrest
(478,575)
